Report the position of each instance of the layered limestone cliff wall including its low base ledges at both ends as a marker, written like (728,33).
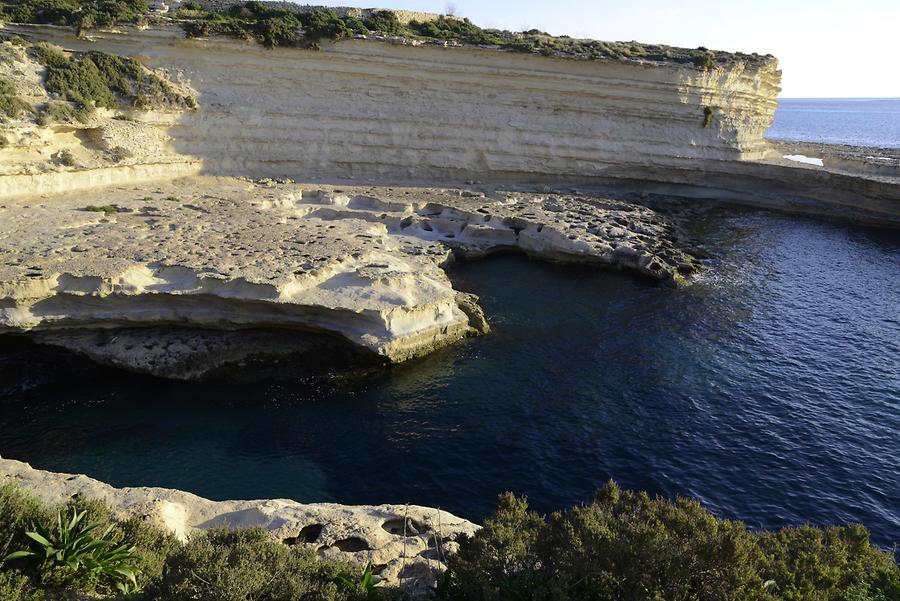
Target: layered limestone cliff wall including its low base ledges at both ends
(395,110)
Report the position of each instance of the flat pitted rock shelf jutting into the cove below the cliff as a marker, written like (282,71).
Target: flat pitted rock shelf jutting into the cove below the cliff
(212,256)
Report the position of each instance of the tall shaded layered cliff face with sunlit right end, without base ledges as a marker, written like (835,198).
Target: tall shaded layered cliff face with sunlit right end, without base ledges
(368,109)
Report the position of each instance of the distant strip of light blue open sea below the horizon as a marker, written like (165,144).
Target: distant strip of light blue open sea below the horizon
(858,122)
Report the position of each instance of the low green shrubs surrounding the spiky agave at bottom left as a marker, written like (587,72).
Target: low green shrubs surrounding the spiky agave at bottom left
(213,566)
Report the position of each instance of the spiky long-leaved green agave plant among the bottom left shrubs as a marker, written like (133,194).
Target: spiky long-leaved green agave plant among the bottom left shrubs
(72,544)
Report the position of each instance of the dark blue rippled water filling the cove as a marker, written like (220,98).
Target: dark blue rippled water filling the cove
(770,390)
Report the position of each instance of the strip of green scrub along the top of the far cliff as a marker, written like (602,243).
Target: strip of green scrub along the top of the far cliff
(275,25)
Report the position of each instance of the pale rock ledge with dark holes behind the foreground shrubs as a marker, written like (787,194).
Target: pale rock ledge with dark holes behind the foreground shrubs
(406,544)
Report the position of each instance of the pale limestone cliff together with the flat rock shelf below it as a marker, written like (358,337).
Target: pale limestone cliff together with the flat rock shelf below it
(526,144)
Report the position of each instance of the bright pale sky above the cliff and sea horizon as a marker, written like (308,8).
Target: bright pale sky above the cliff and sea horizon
(826,48)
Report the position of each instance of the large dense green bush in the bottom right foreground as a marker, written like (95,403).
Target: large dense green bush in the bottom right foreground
(630,546)
